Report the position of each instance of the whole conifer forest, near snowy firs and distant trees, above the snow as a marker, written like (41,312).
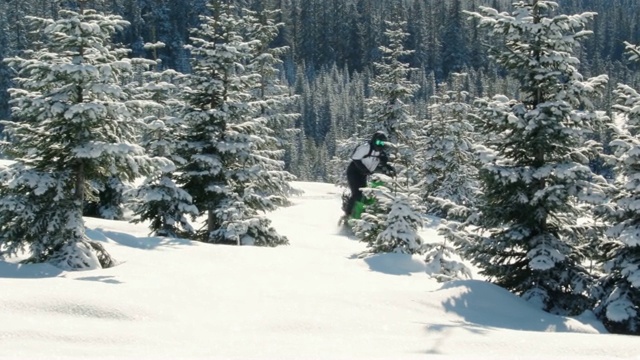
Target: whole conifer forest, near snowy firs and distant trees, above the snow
(514,122)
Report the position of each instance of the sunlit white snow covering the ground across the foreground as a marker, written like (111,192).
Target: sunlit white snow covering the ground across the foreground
(313,299)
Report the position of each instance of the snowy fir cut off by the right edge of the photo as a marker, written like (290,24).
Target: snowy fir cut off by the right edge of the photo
(618,291)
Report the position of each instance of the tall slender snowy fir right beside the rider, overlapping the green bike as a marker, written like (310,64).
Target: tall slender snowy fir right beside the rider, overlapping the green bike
(387,110)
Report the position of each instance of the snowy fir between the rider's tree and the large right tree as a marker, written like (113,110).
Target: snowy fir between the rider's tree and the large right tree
(449,165)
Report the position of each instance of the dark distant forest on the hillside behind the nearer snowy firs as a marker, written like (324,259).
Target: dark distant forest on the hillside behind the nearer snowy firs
(332,46)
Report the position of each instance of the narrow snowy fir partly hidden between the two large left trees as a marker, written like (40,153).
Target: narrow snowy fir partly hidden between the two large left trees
(159,199)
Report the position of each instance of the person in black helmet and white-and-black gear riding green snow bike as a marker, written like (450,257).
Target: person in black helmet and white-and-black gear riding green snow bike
(365,160)
